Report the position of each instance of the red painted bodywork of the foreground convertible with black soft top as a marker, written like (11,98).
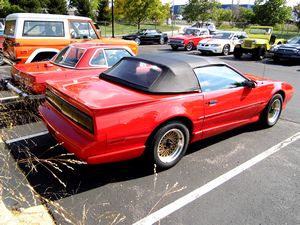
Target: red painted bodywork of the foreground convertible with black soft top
(124,118)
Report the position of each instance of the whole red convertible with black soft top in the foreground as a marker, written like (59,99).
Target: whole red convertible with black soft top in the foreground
(156,105)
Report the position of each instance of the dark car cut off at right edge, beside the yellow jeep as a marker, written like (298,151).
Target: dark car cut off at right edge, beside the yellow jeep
(291,50)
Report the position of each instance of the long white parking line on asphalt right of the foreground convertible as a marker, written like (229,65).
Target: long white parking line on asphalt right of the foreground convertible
(197,193)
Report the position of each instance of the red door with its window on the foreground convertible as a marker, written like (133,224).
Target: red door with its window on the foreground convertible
(228,102)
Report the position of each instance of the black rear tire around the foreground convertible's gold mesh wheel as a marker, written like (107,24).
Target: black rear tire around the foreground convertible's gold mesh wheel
(153,144)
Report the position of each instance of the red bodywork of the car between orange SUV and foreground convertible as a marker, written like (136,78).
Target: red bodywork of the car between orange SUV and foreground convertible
(33,76)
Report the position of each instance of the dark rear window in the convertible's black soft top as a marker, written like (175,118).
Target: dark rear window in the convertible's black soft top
(134,72)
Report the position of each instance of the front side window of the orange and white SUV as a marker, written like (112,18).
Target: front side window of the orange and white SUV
(82,30)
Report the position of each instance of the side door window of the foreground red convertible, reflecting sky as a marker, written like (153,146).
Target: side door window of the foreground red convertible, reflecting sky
(213,78)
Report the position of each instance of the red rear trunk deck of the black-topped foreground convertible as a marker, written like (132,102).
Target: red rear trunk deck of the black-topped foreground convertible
(95,93)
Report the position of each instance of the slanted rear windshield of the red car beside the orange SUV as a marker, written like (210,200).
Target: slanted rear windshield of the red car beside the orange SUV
(69,56)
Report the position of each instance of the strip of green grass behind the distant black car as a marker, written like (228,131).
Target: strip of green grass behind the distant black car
(121,29)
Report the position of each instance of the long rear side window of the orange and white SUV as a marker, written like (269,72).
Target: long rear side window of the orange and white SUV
(43,29)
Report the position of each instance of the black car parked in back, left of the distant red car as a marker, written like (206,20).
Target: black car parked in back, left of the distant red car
(147,36)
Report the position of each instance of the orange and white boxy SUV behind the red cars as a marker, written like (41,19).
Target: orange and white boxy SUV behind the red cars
(31,37)
